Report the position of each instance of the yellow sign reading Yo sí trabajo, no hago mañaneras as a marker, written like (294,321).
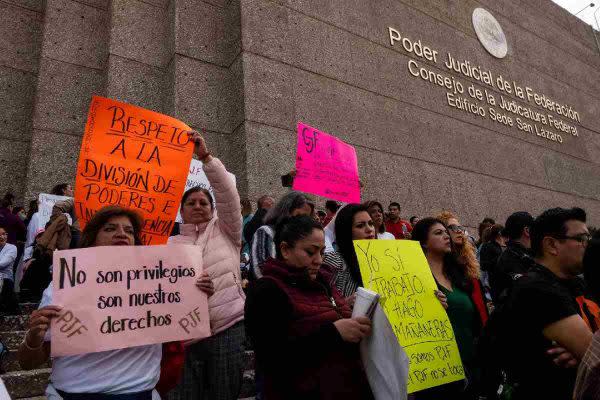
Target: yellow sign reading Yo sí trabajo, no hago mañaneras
(398,271)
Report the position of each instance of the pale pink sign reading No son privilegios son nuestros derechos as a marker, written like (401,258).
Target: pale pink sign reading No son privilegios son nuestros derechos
(115,297)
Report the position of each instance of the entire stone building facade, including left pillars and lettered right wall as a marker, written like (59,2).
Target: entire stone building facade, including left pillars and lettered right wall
(247,70)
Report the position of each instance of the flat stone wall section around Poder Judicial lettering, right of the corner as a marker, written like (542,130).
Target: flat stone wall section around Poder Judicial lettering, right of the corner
(330,64)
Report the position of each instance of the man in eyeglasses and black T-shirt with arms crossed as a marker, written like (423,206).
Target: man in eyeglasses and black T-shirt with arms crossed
(541,312)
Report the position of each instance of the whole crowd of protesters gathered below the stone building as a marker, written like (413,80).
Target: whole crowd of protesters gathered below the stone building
(522,298)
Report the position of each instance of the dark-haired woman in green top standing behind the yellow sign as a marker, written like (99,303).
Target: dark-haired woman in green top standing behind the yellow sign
(466,308)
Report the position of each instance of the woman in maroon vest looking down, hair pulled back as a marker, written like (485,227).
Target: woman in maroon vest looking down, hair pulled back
(297,320)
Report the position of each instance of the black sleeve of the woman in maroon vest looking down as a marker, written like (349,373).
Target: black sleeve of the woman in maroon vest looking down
(268,314)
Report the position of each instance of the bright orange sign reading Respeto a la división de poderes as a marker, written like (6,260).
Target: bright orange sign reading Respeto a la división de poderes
(134,158)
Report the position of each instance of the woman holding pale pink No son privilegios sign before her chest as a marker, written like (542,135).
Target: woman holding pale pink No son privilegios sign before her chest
(130,373)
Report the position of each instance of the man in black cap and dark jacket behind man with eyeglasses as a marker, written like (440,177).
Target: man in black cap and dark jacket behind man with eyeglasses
(515,260)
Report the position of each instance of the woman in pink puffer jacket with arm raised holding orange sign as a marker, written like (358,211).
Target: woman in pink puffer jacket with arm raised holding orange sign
(214,366)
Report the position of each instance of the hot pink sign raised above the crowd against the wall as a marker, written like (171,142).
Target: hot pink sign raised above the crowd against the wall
(326,166)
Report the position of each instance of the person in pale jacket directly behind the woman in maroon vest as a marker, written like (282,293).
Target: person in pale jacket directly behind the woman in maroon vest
(292,204)
